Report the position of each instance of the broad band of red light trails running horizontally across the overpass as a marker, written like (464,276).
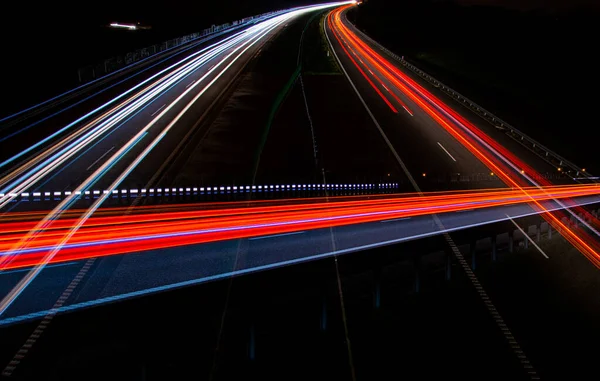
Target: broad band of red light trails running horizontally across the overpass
(103,236)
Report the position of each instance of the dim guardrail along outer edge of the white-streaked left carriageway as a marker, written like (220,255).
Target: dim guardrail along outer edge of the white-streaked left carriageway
(110,65)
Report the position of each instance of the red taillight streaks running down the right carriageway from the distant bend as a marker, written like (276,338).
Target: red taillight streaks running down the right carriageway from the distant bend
(481,145)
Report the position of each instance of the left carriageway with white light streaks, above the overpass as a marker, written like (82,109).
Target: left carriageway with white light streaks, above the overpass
(105,145)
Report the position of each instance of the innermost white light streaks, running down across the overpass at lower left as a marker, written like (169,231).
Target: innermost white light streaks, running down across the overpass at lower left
(258,32)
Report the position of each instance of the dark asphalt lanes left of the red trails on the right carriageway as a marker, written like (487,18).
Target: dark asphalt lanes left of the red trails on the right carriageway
(411,131)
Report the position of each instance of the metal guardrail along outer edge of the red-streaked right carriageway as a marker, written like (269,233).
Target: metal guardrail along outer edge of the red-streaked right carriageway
(563,165)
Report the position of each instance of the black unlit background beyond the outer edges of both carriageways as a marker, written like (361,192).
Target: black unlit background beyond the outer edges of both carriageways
(529,61)
